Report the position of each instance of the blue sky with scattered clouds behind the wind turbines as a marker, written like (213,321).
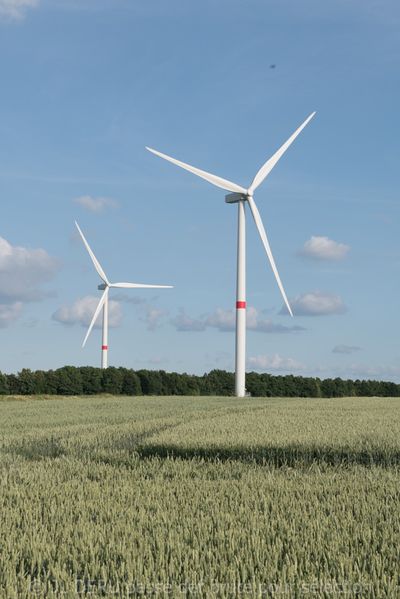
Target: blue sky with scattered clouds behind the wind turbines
(86,84)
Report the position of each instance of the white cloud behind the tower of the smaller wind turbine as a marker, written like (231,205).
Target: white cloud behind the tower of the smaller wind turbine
(82,310)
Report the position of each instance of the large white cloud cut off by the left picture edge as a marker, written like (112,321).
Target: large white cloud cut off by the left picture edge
(22,271)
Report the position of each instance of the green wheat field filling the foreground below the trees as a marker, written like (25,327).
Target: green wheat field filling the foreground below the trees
(199,497)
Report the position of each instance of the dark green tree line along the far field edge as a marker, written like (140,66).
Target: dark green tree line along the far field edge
(87,380)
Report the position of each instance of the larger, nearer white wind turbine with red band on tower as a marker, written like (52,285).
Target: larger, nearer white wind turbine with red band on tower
(241,195)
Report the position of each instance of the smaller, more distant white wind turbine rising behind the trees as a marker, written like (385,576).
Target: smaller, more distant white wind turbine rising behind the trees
(103,303)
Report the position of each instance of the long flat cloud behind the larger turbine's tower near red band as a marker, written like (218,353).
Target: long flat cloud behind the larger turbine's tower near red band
(225,321)
